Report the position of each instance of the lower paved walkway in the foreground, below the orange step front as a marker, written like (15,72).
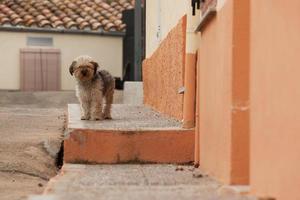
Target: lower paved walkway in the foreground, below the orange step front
(132,182)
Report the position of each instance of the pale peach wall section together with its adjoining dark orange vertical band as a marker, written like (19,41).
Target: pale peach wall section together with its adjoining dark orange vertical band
(223,87)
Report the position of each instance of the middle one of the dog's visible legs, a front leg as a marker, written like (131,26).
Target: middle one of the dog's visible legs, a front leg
(96,105)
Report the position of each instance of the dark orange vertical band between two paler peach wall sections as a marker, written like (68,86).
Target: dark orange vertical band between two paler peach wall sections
(240,123)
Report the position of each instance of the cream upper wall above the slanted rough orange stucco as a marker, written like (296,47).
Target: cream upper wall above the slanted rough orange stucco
(162,16)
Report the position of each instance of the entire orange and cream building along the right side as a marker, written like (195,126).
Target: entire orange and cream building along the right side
(233,69)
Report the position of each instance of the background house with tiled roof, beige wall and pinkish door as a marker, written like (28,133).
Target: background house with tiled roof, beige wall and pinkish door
(39,40)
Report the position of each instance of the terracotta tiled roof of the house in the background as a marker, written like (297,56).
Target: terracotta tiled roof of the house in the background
(67,14)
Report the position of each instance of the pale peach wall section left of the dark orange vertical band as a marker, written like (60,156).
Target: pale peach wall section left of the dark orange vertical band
(214,73)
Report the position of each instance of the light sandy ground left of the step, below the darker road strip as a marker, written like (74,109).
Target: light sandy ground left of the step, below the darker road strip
(30,139)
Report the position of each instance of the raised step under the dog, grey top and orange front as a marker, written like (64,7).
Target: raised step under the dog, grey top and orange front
(136,134)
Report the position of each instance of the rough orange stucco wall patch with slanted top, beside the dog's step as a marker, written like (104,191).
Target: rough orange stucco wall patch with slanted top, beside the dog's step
(163,73)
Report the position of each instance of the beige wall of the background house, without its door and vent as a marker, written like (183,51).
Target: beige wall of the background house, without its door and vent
(105,50)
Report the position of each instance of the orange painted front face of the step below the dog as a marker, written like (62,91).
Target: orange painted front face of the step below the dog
(156,146)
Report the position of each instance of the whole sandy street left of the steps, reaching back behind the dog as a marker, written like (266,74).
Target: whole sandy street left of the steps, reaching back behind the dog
(31,130)
